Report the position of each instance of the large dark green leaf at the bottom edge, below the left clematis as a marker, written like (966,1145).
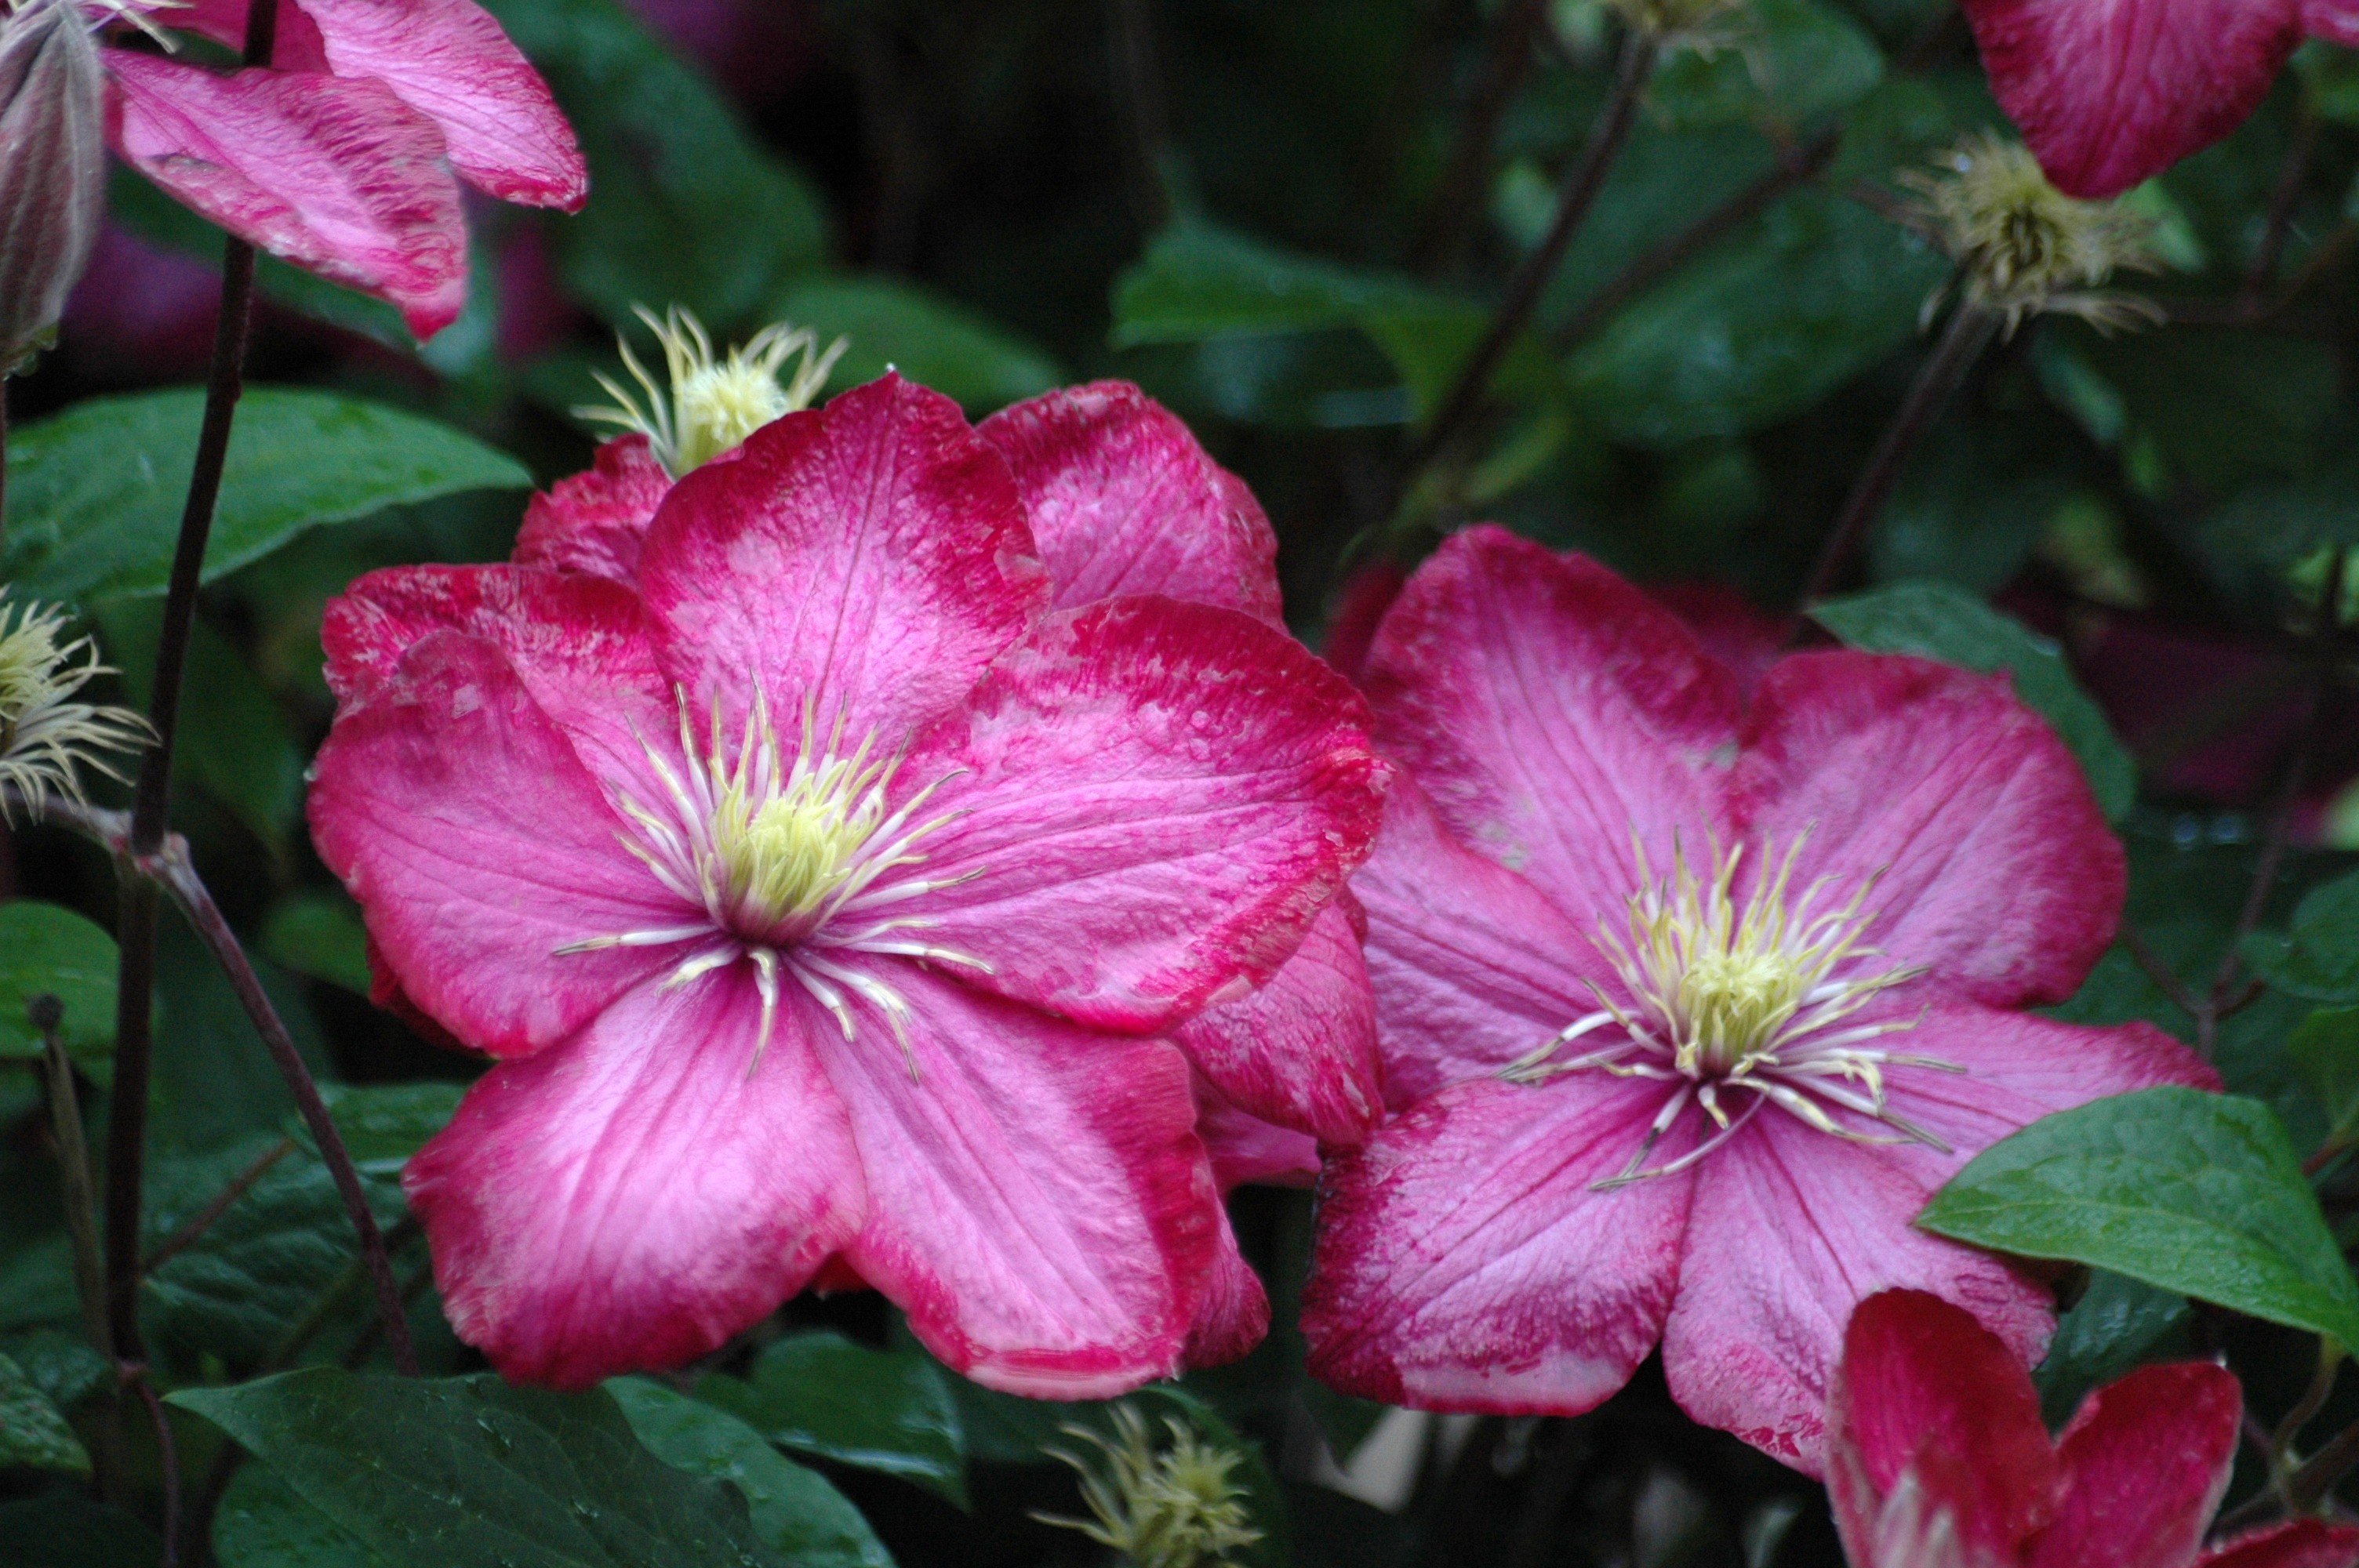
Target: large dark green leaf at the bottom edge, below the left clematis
(471,1470)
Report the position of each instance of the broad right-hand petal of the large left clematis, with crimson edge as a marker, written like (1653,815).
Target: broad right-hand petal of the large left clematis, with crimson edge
(1159,798)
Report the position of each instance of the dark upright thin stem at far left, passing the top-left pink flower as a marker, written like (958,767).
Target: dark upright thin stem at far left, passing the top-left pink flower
(136,928)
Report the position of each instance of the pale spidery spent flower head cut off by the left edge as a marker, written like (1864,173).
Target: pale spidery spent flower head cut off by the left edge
(46,737)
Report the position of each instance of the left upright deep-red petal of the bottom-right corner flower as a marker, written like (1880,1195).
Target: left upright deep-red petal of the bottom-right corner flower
(1928,1399)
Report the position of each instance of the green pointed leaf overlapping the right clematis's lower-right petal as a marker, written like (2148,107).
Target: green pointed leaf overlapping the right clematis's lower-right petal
(2174,1187)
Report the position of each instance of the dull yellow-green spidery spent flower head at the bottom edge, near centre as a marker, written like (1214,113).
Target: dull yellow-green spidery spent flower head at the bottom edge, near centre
(1162,1508)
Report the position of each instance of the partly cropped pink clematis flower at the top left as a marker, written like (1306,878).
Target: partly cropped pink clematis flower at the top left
(346,154)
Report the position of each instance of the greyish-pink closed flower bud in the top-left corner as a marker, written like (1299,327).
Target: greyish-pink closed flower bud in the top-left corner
(53,169)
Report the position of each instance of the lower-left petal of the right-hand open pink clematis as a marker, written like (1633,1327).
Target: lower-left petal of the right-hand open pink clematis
(1466,1263)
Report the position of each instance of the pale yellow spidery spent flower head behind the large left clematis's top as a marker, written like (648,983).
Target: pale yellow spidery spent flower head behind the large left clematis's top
(714,402)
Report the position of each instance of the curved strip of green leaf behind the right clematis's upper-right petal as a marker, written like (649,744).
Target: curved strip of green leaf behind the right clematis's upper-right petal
(1940,621)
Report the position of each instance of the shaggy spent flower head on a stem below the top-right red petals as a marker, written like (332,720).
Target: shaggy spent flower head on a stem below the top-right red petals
(2023,246)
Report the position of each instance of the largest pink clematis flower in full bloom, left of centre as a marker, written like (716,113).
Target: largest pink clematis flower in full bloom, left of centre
(822,888)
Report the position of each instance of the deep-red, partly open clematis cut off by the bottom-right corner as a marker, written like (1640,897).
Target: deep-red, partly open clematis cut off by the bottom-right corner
(1938,1458)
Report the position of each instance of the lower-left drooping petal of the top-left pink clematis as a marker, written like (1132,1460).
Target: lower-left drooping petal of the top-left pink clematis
(334,176)
